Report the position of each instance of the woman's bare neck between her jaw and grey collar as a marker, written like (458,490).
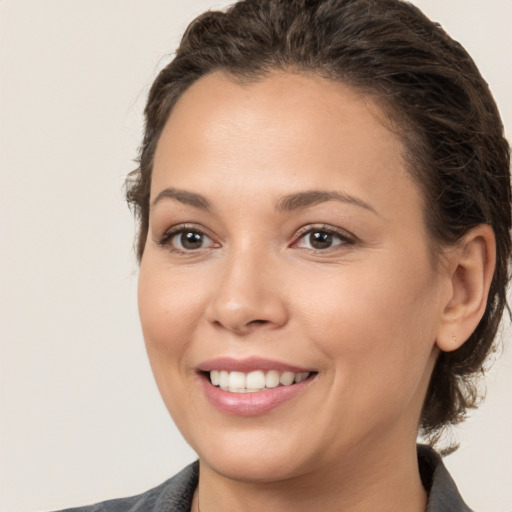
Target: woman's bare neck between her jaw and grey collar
(384,480)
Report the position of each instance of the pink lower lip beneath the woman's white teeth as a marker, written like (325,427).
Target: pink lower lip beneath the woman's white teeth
(251,404)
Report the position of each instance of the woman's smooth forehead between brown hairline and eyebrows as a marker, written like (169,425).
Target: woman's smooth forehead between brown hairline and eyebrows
(280,133)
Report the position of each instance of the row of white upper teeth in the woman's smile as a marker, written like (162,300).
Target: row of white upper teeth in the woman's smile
(239,382)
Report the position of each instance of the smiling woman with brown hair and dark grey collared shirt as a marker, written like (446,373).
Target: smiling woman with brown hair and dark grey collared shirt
(324,205)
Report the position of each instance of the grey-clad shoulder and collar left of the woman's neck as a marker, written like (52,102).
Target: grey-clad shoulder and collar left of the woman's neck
(174,495)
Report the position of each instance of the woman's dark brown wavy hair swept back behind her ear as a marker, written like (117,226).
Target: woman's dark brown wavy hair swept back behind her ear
(430,89)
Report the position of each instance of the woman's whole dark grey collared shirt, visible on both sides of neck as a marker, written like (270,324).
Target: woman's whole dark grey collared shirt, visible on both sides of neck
(175,495)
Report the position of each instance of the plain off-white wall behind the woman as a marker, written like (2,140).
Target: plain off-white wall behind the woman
(81,418)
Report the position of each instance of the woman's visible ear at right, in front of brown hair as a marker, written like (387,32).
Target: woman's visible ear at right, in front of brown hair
(471,268)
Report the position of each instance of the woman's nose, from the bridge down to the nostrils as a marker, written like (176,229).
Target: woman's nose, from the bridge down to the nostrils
(249,294)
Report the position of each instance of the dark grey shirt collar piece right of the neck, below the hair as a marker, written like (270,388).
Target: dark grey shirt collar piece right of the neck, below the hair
(443,493)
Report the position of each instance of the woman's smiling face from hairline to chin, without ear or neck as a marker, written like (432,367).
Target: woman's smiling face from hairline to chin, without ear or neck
(287,241)
